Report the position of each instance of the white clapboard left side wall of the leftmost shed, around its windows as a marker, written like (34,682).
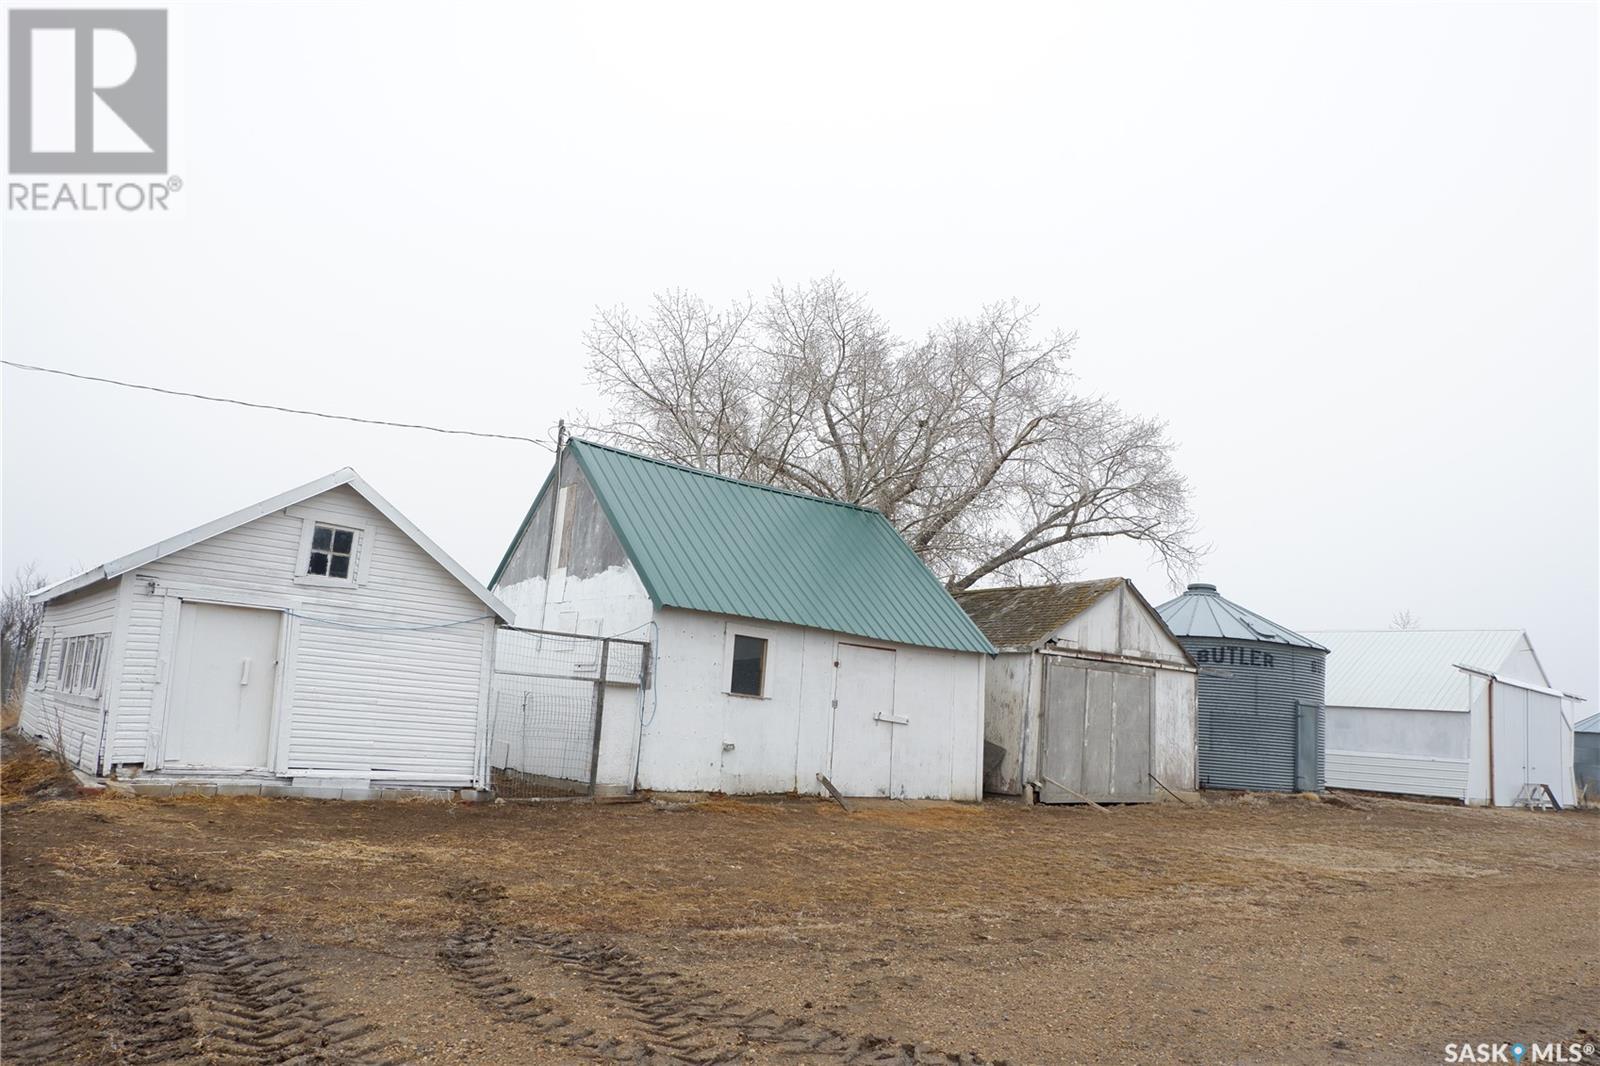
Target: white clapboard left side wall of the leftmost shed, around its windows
(49,711)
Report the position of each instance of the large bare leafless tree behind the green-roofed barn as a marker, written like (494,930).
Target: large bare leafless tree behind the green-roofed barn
(970,441)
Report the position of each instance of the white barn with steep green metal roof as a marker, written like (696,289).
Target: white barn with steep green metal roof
(793,638)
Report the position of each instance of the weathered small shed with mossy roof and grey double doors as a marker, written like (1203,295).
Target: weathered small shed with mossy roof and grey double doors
(1092,697)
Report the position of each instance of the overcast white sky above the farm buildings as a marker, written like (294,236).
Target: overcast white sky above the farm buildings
(1348,250)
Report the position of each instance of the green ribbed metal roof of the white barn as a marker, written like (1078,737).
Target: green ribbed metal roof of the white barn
(711,543)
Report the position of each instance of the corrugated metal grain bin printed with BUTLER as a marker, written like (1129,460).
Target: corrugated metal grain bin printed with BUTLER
(1262,721)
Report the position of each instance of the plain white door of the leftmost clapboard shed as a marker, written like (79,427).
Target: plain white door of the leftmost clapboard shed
(225,673)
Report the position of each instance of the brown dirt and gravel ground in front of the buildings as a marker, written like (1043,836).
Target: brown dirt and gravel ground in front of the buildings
(1241,931)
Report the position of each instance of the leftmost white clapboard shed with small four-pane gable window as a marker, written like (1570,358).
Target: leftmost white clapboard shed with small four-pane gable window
(316,639)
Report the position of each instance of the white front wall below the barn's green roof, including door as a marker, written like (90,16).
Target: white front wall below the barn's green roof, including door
(873,718)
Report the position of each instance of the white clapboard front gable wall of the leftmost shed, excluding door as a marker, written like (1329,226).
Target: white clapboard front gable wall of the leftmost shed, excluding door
(370,692)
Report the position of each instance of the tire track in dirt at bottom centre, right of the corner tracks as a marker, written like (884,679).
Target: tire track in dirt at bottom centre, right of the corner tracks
(678,1022)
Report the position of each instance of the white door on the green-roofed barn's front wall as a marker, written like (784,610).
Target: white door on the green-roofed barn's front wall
(865,721)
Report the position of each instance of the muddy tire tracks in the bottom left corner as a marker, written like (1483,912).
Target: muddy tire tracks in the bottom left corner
(174,988)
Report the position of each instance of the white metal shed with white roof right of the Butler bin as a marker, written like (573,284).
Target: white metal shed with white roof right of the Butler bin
(1457,713)
